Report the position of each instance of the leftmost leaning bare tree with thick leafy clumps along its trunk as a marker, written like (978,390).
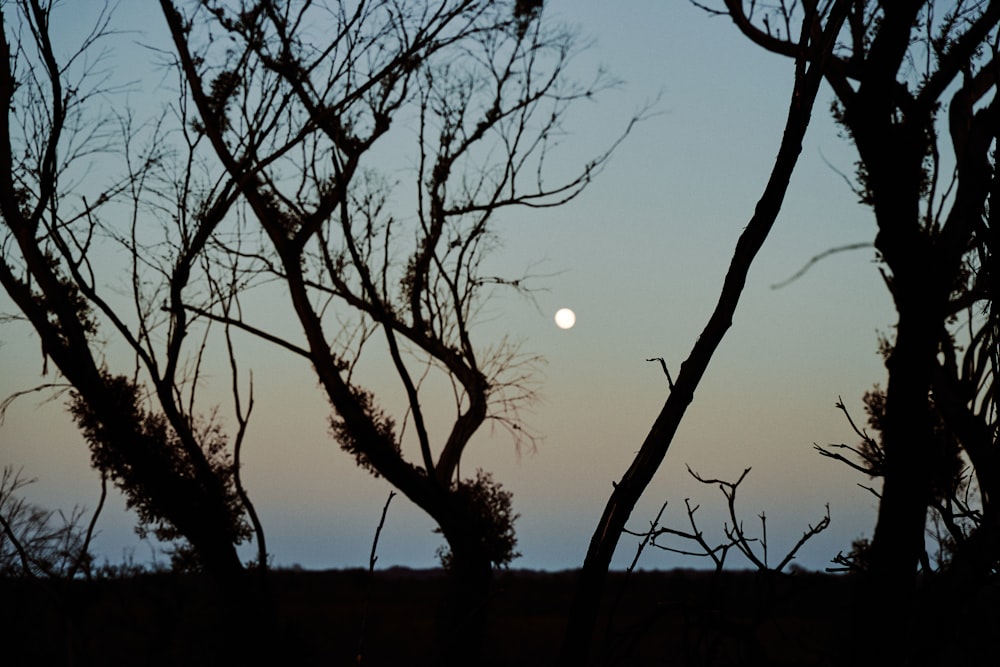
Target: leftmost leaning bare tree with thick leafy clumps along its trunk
(175,466)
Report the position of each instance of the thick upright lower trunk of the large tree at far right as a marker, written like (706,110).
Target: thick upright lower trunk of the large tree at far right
(913,454)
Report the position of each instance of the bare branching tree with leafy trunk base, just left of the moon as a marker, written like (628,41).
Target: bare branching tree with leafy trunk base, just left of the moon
(313,127)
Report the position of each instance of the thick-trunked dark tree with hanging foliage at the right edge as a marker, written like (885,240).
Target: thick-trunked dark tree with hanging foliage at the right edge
(929,181)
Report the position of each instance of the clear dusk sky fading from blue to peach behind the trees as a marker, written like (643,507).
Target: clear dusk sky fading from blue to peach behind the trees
(639,257)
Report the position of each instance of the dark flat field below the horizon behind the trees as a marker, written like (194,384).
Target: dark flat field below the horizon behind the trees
(349,618)
